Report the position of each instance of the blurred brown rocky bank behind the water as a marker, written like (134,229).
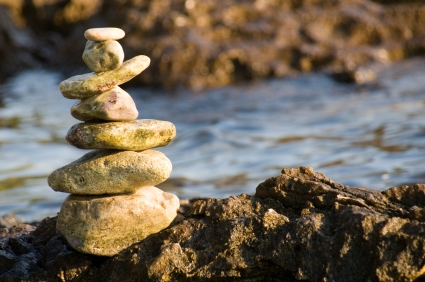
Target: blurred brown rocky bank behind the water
(208,43)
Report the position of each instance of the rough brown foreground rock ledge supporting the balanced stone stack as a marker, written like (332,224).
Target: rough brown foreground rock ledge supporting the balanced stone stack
(300,225)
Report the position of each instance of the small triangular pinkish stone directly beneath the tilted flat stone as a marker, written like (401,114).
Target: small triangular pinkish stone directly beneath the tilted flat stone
(113,105)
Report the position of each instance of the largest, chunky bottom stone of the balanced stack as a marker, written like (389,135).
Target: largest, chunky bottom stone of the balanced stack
(106,225)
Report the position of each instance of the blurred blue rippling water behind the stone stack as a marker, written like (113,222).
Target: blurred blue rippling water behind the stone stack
(230,139)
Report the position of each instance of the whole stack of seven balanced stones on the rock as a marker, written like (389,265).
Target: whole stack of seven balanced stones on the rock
(113,201)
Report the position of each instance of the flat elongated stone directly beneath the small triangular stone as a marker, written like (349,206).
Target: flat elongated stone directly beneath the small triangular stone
(130,135)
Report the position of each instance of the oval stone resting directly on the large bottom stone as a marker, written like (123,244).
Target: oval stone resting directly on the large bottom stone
(111,172)
